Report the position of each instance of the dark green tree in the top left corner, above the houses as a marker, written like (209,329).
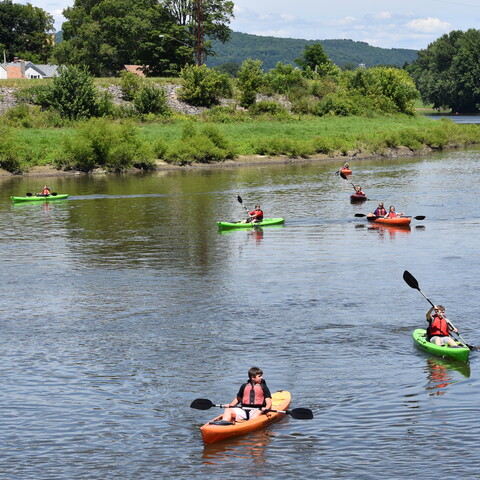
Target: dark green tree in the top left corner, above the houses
(25,31)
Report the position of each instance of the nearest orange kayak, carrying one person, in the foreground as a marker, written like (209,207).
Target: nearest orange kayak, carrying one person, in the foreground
(215,433)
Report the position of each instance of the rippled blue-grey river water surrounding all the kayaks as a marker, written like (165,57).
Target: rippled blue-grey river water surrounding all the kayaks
(124,303)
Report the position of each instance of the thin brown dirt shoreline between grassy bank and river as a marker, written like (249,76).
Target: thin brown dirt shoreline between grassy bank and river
(241,161)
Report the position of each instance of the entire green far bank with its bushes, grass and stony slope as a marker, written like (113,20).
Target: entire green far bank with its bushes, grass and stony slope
(76,122)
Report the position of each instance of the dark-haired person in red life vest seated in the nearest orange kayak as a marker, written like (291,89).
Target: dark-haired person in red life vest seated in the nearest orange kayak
(253,394)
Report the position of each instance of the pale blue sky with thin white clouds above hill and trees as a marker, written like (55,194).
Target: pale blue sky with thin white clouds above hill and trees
(412,24)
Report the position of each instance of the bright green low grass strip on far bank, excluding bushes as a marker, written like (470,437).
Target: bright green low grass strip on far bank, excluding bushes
(305,137)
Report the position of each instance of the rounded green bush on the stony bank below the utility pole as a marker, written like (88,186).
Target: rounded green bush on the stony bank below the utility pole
(204,87)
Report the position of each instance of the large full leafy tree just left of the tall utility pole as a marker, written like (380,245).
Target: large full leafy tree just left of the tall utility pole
(105,35)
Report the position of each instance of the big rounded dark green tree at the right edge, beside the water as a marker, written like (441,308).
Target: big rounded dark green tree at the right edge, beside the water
(447,73)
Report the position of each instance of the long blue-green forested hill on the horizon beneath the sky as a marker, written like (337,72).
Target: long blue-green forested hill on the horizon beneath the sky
(271,50)
